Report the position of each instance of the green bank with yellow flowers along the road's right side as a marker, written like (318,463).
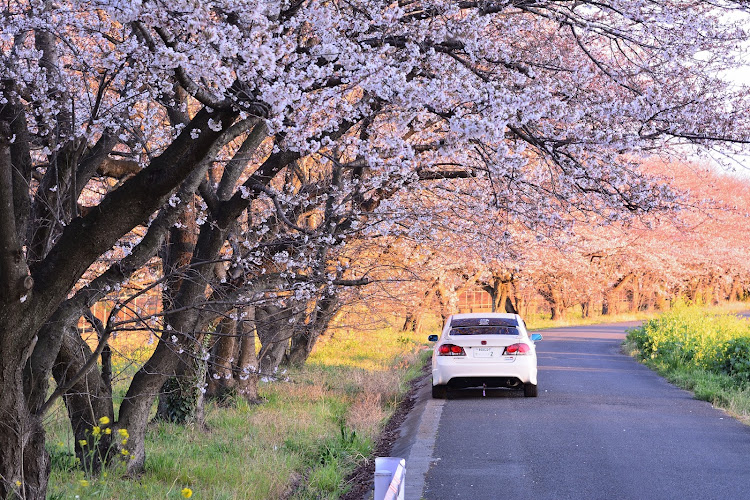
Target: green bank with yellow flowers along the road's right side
(704,351)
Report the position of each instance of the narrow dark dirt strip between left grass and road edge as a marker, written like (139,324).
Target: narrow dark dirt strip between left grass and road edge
(361,480)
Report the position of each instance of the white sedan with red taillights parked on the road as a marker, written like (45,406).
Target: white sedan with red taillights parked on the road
(484,350)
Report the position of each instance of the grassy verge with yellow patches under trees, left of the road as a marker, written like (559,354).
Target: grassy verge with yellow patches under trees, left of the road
(302,442)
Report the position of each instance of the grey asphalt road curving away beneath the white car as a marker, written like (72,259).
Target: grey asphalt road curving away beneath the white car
(603,427)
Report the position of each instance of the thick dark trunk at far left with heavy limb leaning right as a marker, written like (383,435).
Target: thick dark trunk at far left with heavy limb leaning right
(29,298)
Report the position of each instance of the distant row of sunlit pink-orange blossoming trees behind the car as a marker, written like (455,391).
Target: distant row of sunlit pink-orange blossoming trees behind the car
(697,253)
